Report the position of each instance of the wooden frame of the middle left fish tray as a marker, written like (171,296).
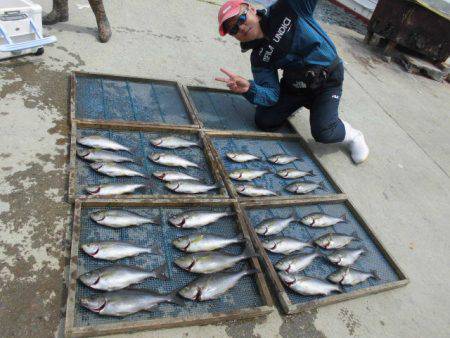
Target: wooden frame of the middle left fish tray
(112,125)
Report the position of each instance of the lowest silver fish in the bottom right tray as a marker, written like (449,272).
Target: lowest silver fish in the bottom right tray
(308,286)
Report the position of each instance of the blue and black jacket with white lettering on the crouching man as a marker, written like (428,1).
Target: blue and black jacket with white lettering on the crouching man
(293,39)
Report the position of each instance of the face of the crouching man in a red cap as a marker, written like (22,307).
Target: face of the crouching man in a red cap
(248,30)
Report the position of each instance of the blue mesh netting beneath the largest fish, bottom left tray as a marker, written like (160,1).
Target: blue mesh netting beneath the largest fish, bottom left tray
(244,295)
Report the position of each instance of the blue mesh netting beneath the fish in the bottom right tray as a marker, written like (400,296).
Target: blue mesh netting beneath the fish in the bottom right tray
(372,260)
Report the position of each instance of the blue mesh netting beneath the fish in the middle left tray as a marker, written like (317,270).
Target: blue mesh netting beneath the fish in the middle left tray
(139,143)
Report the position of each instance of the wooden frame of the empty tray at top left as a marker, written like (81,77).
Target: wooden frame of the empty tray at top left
(180,90)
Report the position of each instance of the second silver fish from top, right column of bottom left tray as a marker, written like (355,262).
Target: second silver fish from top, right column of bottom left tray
(205,242)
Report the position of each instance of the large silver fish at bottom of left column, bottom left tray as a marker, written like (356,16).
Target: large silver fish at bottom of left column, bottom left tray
(126,302)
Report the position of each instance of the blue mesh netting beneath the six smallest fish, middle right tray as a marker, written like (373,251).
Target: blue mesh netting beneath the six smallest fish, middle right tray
(264,148)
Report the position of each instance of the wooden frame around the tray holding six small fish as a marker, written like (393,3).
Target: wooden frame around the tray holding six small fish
(230,186)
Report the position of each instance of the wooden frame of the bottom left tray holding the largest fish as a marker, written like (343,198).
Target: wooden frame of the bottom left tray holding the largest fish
(120,327)
